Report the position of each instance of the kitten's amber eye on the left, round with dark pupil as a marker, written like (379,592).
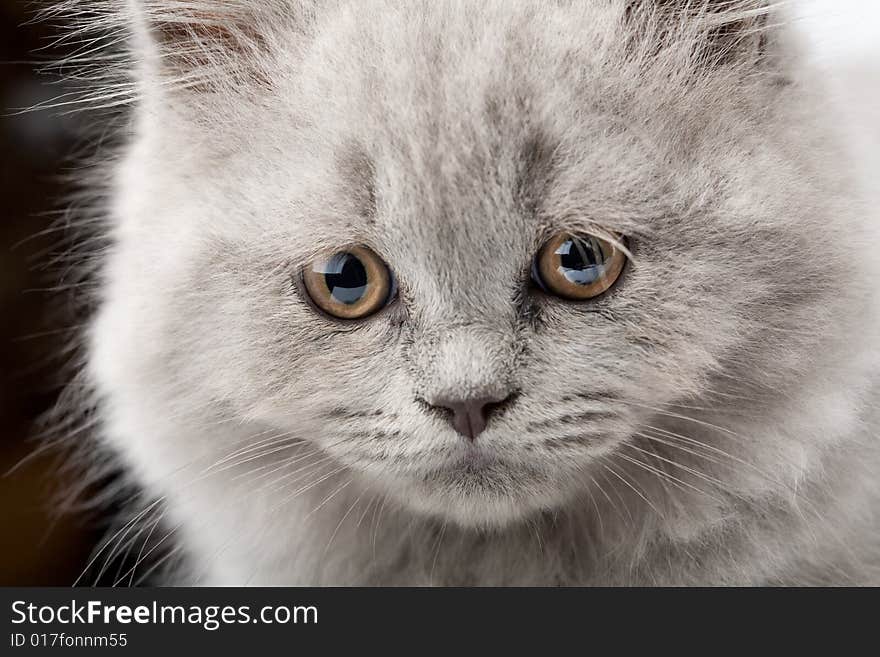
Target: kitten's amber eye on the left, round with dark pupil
(349,284)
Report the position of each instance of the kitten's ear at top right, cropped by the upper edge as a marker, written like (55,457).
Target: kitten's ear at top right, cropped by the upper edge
(717,32)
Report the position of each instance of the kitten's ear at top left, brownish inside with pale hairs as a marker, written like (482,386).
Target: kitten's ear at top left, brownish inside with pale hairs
(210,44)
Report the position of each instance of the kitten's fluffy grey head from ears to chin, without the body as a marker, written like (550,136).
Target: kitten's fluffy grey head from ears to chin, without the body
(371,226)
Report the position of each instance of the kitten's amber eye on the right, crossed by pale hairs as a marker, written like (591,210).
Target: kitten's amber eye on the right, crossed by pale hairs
(577,267)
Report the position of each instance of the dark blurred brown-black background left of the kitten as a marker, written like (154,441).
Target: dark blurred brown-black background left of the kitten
(38,543)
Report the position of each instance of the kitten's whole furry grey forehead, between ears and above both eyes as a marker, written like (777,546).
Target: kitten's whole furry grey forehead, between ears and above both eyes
(443,134)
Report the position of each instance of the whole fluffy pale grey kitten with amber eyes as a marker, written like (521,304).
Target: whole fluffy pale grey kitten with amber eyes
(488,293)
